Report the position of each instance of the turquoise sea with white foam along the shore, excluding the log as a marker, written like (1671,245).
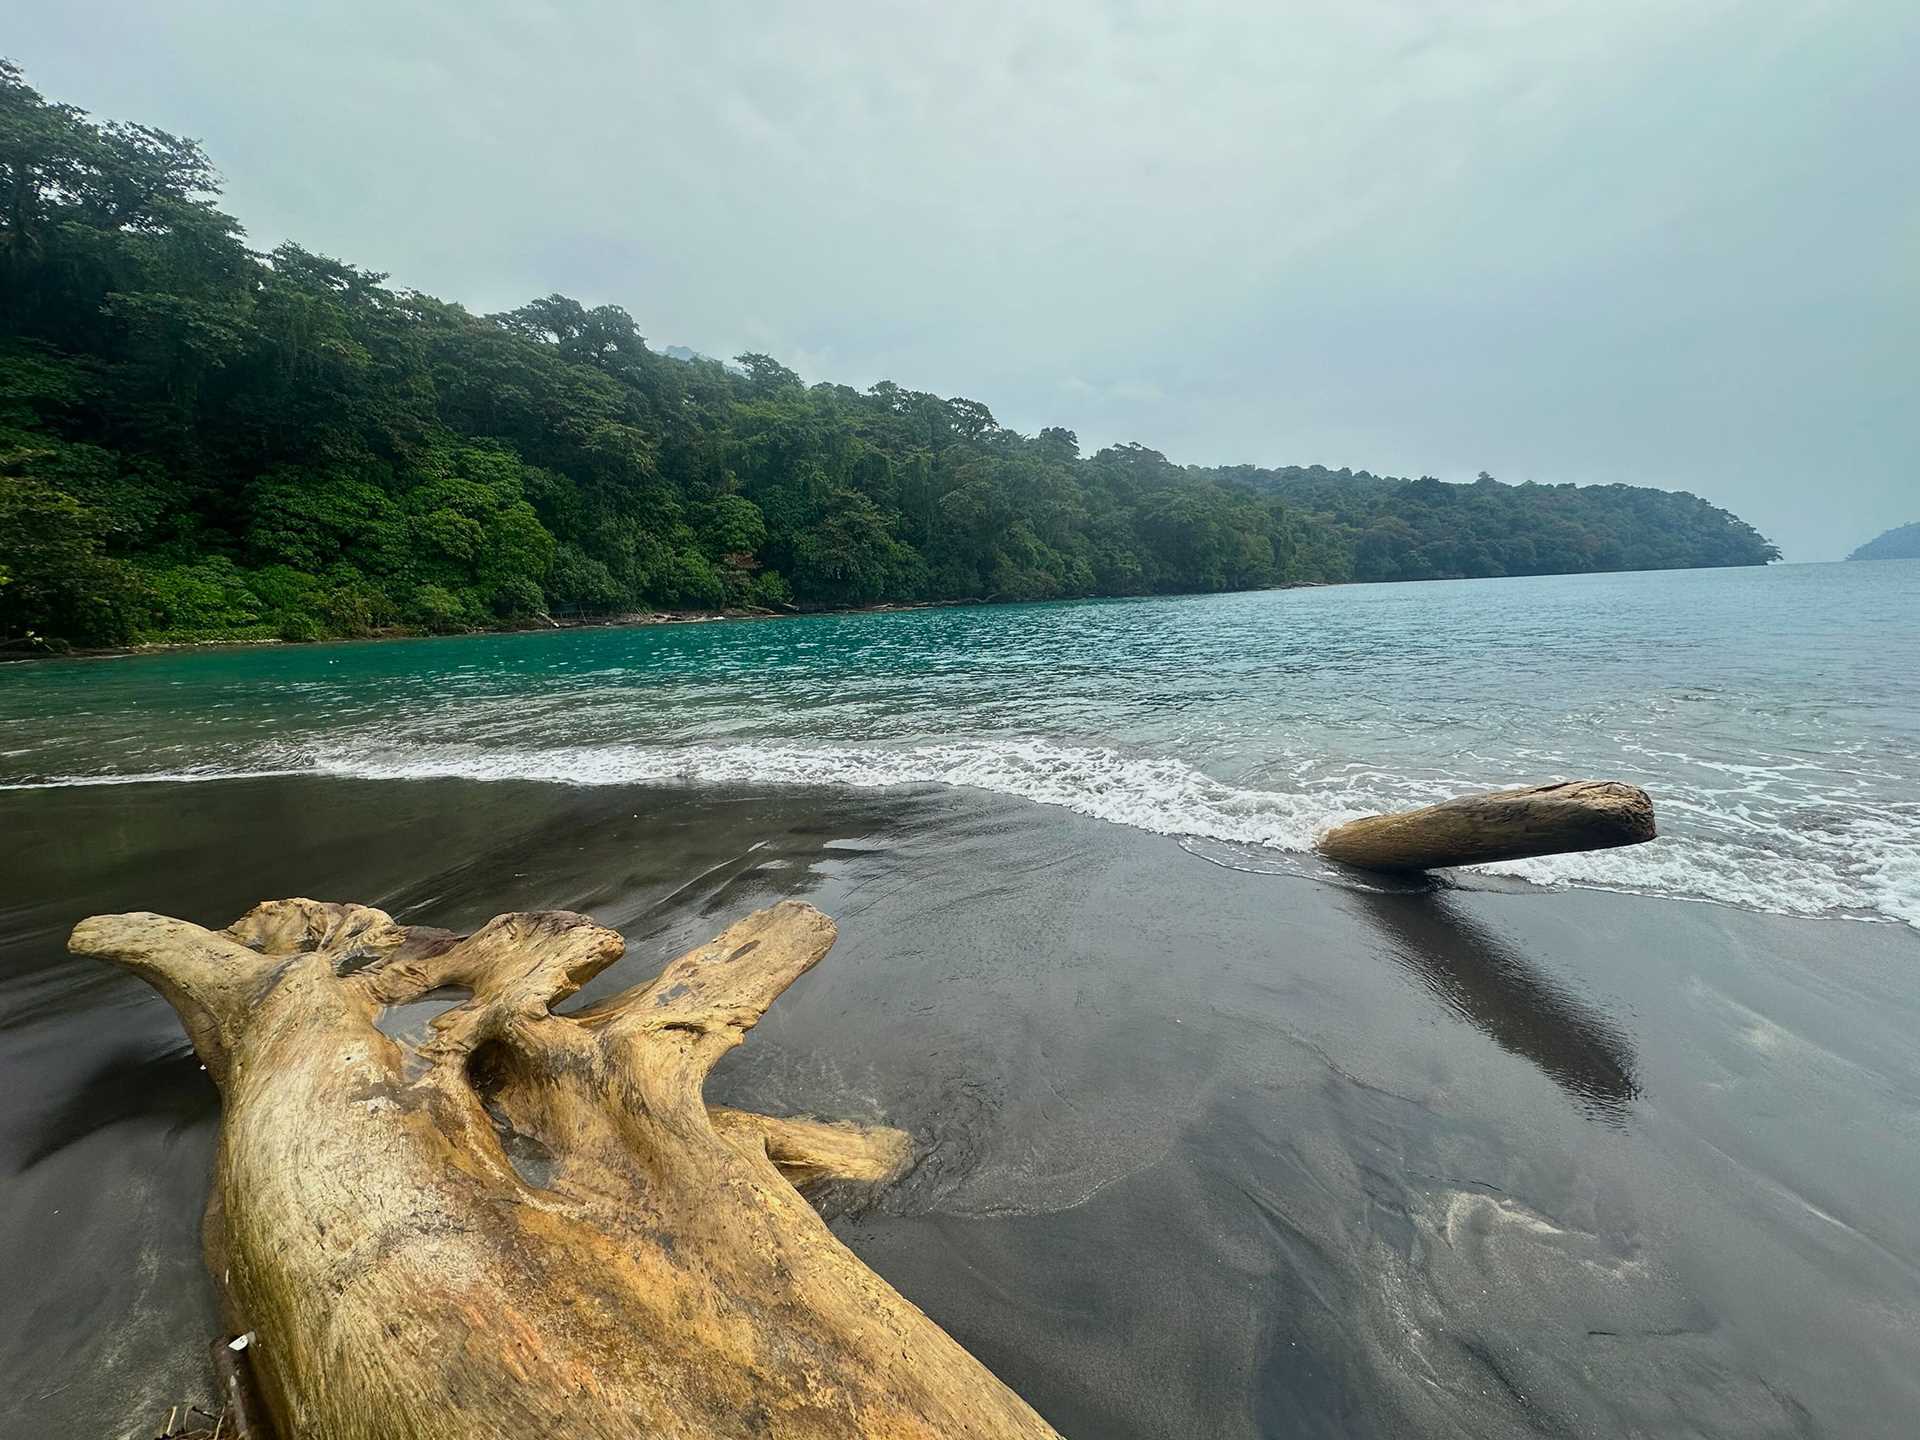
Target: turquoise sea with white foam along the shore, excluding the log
(1775,715)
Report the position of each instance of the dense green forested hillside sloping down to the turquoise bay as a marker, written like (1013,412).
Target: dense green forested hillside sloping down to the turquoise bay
(204,443)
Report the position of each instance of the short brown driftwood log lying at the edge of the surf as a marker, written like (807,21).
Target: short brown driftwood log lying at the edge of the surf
(1508,825)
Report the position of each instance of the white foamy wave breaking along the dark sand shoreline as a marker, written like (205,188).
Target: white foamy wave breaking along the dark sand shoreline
(1860,865)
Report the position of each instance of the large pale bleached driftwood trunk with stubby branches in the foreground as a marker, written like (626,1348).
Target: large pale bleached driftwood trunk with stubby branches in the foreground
(531,1224)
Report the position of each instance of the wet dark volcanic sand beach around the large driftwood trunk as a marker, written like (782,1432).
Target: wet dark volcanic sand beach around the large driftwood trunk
(1207,1153)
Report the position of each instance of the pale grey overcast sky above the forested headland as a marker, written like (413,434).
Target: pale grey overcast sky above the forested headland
(1668,243)
